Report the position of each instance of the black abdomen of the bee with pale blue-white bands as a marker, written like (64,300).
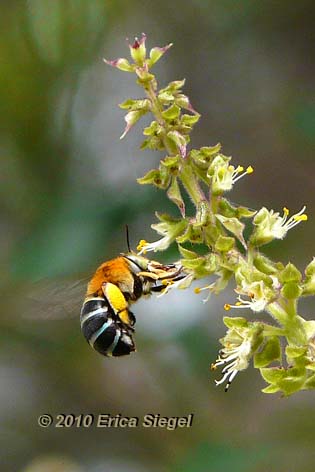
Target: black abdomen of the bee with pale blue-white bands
(102,331)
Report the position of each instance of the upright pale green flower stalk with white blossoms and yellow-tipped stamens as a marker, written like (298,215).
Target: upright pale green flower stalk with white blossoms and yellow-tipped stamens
(206,175)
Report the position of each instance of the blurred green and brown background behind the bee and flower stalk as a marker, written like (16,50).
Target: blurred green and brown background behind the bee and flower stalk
(68,187)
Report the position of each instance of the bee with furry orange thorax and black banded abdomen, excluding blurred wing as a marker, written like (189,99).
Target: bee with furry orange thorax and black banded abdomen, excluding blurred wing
(106,320)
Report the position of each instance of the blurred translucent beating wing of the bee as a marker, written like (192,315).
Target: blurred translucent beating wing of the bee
(53,300)
